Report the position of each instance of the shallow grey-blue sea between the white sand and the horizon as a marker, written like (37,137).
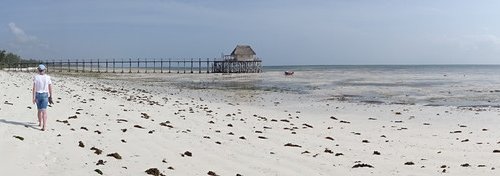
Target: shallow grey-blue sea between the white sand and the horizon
(430,85)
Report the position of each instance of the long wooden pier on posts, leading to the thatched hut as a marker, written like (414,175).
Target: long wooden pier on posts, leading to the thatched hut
(140,66)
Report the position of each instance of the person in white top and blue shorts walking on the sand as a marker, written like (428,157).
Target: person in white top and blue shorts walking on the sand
(42,94)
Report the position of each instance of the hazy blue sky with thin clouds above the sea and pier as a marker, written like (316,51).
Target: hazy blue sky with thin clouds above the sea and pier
(281,32)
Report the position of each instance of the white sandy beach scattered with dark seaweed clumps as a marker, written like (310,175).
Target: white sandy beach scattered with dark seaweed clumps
(211,132)
